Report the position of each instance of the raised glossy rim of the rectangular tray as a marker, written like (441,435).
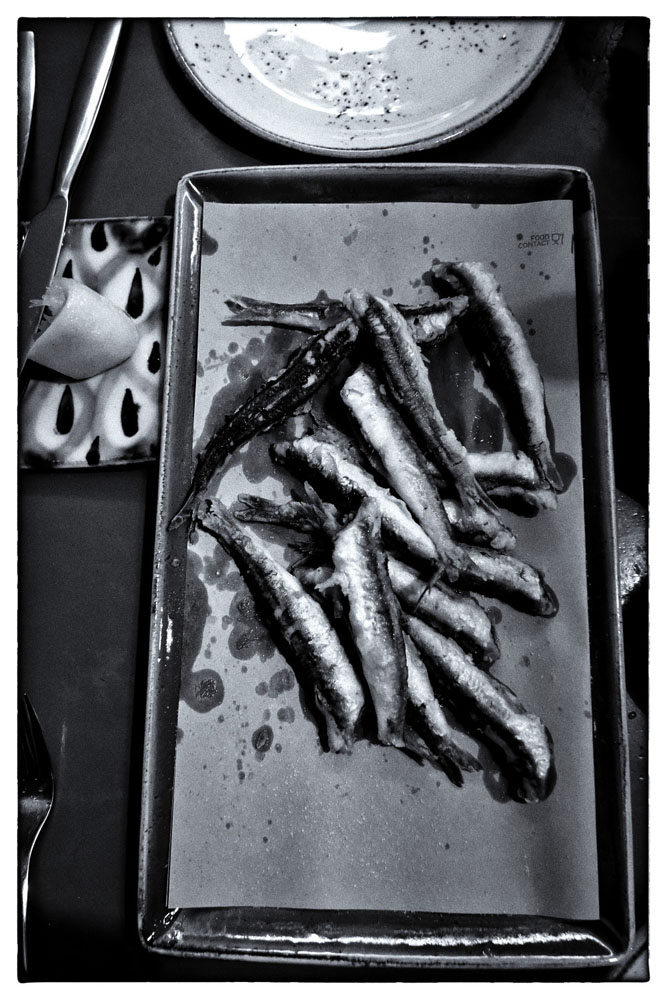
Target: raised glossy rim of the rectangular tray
(192,933)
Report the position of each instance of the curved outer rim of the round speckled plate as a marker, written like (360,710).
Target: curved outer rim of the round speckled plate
(391,149)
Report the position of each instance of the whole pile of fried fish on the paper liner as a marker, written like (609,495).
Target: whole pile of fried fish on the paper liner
(403,524)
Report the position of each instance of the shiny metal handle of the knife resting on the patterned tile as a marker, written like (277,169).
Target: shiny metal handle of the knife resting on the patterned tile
(86,100)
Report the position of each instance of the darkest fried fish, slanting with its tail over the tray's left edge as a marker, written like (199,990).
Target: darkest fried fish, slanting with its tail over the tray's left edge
(278,398)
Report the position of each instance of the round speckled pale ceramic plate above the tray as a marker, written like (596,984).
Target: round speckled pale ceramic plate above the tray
(363,87)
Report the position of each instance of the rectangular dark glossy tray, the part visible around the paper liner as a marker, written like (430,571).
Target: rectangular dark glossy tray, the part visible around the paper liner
(408,940)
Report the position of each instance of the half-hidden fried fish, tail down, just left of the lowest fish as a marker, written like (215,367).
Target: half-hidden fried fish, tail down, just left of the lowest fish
(426,717)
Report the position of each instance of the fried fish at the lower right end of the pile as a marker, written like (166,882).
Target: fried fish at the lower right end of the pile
(479,700)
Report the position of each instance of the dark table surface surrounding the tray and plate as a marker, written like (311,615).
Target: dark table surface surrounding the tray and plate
(86,537)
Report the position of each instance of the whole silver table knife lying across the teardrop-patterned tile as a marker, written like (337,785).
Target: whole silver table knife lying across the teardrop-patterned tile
(41,247)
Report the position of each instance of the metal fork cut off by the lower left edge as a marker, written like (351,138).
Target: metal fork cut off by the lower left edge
(35,798)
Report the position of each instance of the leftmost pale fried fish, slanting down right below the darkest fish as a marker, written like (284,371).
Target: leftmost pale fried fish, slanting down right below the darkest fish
(301,627)
